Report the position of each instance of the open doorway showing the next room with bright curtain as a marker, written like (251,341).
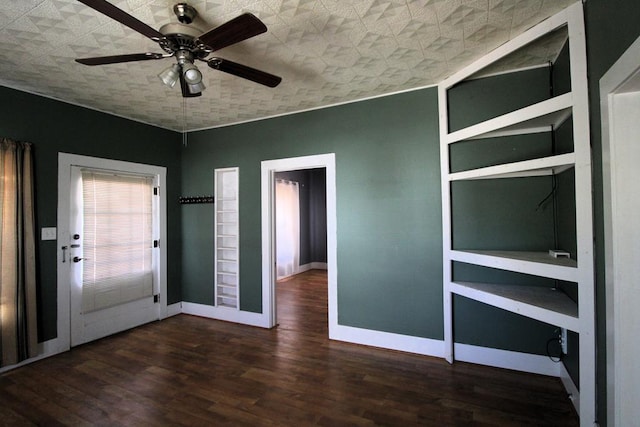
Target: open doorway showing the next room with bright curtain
(301,249)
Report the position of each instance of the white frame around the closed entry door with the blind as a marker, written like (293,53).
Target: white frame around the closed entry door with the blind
(65,163)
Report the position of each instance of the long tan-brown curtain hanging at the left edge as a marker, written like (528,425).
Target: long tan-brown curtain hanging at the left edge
(18,315)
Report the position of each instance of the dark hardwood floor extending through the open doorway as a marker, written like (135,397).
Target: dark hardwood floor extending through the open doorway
(199,372)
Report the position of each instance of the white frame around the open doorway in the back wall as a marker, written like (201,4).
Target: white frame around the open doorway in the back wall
(268,170)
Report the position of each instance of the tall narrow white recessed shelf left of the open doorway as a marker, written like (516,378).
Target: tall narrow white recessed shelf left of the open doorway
(226,238)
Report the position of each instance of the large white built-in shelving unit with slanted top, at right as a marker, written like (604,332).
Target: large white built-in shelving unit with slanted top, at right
(545,304)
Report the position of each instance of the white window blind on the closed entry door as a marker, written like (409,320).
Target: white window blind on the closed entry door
(117,239)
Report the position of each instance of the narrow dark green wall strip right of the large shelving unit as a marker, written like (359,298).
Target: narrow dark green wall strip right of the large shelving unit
(612,26)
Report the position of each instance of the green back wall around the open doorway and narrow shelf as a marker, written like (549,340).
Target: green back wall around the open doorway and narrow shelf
(388,213)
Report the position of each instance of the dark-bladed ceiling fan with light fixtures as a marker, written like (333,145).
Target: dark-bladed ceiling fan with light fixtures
(187,44)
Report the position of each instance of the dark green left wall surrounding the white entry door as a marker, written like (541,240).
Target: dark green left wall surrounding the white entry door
(53,127)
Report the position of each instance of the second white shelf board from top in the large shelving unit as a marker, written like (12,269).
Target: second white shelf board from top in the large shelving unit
(536,167)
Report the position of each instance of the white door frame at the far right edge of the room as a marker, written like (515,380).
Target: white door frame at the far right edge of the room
(621,81)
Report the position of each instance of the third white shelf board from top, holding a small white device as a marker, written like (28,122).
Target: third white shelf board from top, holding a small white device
(534,263)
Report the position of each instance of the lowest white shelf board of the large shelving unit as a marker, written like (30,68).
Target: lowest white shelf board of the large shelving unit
(540,303)
